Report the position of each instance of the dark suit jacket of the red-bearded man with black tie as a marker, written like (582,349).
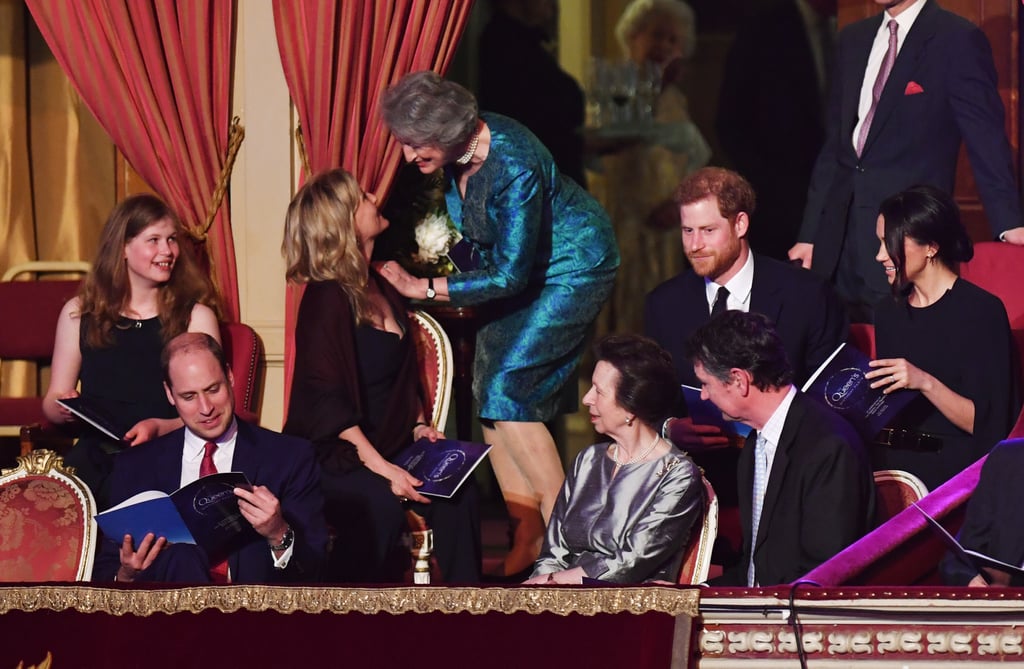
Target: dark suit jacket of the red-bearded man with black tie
(808,316)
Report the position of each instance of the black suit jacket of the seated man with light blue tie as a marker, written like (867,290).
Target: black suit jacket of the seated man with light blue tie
(821,496)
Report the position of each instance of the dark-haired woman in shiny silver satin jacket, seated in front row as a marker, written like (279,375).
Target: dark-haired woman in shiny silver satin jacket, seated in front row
(626,510)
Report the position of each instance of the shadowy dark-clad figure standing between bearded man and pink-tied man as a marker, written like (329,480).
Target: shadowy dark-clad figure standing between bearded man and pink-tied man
(772,119)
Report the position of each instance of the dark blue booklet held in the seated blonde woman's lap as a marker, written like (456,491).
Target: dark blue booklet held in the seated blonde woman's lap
(442,466)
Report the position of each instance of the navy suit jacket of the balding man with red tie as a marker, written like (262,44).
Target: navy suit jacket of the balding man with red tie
(284,465)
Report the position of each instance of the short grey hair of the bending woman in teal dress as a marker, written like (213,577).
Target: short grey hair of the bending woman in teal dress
(424,110)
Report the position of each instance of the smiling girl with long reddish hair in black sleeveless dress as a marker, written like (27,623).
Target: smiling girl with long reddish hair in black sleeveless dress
(145,288)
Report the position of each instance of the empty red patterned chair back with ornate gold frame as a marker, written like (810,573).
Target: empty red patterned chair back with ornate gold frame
(48,531)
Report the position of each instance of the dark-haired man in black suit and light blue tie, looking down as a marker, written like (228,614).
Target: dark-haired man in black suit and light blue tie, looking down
(805,481)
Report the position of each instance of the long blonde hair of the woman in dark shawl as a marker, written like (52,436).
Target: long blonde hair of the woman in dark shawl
(321,242)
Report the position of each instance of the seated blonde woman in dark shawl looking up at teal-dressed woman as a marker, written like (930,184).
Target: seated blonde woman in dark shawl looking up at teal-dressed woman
(356,392)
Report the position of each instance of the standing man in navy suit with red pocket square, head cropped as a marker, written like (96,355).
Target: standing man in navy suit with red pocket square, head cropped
(909,86)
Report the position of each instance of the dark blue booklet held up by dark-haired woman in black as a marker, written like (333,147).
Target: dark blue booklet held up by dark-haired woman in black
(840,385)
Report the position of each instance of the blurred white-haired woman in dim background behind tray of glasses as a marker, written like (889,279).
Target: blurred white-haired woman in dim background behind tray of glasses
(641,177)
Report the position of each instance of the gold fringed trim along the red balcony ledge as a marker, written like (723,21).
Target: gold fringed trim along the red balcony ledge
(560,601)
